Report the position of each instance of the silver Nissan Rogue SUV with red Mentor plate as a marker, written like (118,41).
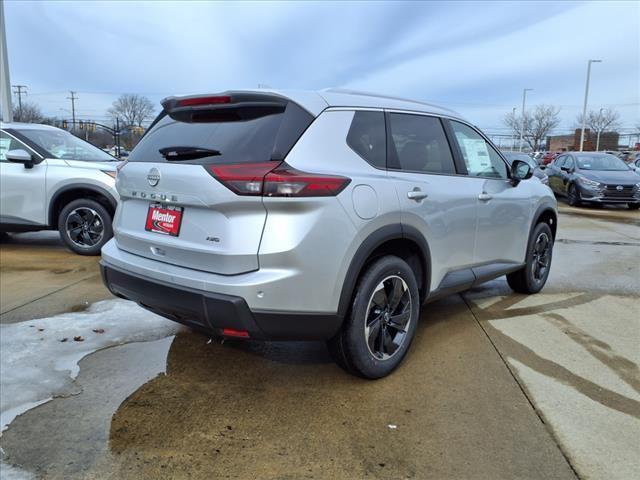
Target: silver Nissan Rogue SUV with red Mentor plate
(331,215)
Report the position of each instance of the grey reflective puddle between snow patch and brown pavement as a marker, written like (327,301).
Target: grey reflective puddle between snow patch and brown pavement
(67,437)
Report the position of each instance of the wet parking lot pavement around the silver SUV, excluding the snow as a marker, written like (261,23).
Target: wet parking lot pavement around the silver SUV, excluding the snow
(497,385)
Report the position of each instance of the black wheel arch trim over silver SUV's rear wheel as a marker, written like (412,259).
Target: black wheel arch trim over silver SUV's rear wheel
(396,239)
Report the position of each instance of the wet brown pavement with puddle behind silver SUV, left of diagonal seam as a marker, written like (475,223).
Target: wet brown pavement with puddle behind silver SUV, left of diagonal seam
(285,410)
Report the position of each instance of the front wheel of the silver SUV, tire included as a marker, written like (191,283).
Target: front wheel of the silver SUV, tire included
(532,277)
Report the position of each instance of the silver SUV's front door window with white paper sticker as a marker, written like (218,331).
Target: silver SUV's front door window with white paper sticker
(480,158)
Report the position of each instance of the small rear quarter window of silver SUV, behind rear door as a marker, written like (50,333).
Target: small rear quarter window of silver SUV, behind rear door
(367,137)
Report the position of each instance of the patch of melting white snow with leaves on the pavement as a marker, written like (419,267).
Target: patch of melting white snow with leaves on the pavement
(37,363)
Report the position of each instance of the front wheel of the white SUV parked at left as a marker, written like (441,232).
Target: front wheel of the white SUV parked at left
(85,226)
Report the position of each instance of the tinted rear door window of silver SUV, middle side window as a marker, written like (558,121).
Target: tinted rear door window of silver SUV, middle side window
(420,144)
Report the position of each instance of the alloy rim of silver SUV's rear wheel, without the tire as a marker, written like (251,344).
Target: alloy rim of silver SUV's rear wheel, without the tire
(388,317)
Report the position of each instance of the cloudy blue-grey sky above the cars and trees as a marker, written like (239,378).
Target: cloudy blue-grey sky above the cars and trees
(472,57)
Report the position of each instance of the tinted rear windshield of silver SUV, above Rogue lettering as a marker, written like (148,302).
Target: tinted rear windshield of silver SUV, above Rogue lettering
(267,137)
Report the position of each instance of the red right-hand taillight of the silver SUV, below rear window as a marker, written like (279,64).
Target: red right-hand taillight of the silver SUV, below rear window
(273,179)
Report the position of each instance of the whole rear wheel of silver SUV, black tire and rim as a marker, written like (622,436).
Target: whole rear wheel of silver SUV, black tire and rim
(359,347)
